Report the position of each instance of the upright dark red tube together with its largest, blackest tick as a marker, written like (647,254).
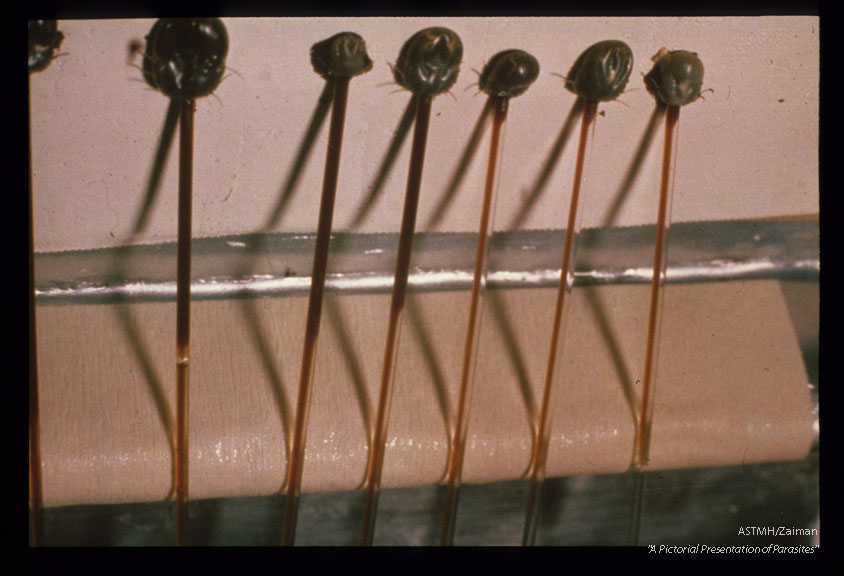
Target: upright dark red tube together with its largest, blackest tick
(185,60)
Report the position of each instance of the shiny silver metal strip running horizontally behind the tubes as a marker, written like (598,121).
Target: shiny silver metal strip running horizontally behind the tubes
(279,264)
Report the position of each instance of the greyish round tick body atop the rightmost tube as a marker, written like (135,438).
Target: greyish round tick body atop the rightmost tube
(676,78)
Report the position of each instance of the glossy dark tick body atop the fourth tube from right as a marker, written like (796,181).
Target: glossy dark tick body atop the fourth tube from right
(429,62)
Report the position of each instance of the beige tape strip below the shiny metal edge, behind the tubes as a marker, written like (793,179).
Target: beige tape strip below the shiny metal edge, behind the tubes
(732,388)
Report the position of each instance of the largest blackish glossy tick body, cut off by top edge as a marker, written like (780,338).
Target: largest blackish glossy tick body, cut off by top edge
(185,58)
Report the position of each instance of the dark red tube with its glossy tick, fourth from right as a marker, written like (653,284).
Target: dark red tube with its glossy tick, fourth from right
(428,64)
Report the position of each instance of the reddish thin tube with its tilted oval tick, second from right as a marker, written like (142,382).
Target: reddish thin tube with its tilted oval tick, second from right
(598,75)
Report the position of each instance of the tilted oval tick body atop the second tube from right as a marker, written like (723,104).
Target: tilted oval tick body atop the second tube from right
(601,72)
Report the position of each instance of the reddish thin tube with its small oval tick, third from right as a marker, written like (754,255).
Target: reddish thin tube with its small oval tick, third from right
(506,75)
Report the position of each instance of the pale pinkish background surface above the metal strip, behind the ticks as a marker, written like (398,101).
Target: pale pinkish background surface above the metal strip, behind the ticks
(749,150)
